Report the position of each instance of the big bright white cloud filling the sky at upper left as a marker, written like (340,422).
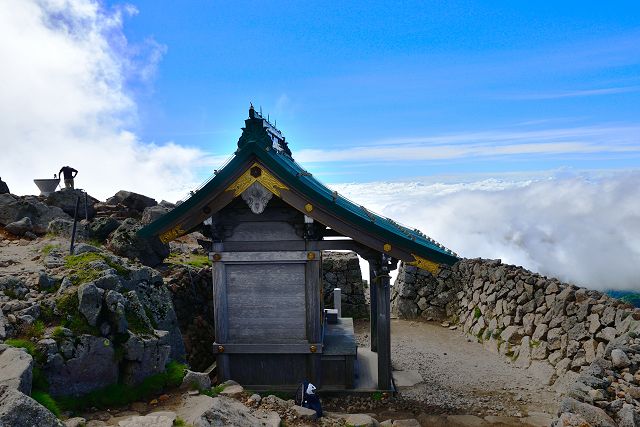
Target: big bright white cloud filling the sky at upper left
(63,100)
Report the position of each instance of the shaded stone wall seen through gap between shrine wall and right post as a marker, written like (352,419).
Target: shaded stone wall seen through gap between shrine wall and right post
(342,270)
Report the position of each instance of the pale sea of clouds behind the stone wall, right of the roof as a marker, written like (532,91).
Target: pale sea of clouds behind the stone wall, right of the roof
(586,231)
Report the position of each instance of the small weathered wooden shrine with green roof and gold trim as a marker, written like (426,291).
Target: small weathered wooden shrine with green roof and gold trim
(270,221)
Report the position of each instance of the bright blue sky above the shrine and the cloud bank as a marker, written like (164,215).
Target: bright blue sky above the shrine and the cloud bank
(448,88)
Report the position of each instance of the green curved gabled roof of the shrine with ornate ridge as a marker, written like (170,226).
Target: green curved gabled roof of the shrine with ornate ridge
(263,143)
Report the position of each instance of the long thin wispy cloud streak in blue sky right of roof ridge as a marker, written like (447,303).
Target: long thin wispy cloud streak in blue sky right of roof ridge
(561,141)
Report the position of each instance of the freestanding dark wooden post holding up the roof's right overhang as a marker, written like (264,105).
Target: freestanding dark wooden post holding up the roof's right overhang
(383,330)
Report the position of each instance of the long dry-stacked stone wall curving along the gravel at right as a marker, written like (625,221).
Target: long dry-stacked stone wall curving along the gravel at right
(582,341)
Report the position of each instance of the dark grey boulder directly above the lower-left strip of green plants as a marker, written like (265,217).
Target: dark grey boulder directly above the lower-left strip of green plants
(93,366)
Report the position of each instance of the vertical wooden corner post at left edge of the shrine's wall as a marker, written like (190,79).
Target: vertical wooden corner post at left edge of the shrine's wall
(220,313)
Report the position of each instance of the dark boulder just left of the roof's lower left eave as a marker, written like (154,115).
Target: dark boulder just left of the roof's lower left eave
(126,242)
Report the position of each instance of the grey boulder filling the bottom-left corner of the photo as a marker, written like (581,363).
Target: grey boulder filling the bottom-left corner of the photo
(19,410)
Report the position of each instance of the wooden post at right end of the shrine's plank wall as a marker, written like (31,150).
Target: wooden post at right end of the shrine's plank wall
(314,312)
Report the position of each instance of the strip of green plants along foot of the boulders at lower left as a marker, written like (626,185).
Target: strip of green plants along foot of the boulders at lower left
(121,394)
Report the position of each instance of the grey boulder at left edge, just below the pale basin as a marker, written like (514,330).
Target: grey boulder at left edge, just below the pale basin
(14,208)
